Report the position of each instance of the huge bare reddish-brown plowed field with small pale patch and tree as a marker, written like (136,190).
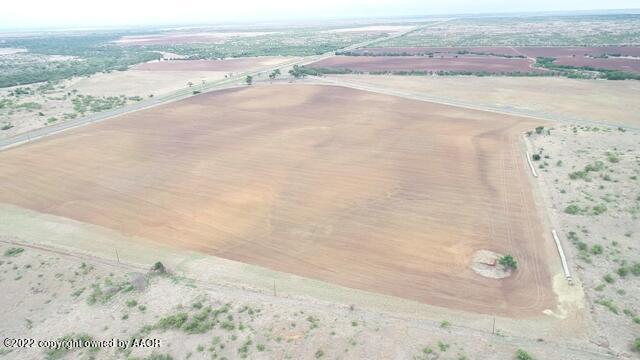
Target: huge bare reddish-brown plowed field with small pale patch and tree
(364,190)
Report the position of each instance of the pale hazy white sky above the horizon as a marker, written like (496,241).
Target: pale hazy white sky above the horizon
(48,13)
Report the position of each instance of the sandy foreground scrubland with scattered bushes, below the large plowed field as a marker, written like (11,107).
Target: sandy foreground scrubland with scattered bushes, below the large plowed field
(58,286)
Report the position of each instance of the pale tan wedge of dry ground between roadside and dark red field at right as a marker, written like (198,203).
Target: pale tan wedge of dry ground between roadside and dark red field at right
(556,98)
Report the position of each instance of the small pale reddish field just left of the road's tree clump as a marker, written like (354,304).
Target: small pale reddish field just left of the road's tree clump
(236,64)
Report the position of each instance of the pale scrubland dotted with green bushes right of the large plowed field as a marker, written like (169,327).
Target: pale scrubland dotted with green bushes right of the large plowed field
(603,245)
